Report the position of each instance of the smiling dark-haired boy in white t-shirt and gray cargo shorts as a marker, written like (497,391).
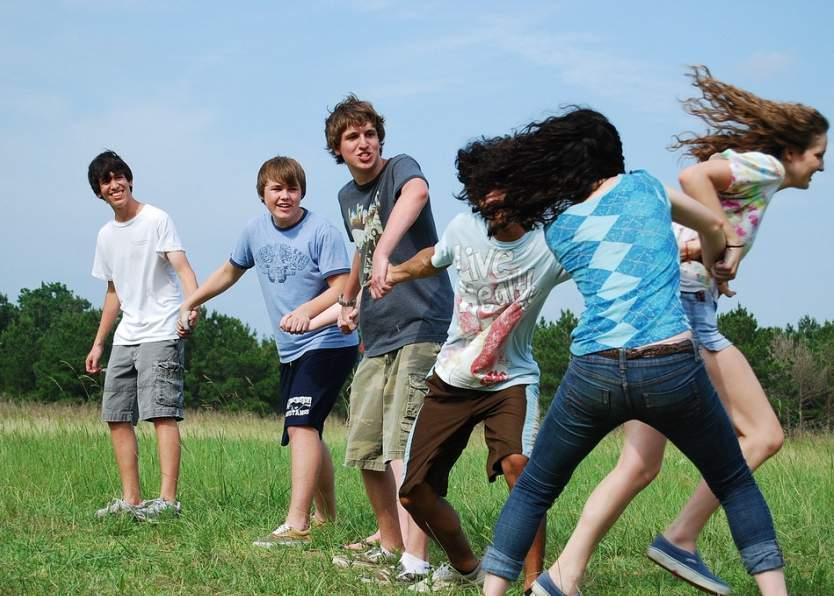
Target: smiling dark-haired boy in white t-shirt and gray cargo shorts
(140,256)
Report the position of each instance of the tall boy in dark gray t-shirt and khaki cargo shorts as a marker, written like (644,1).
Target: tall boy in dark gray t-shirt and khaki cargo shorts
(387,213)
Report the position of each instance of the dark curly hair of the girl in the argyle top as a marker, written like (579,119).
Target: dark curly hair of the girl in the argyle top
(543,169)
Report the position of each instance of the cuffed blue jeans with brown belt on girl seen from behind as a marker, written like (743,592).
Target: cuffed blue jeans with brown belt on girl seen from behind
(670,393)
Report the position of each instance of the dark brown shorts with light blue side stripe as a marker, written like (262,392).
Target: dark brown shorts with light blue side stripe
(445,422)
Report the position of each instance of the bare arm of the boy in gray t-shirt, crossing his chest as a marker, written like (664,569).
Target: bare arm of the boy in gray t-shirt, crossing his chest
(413,197)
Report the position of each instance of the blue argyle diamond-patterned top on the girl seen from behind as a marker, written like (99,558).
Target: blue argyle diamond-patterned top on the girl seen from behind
(621,252)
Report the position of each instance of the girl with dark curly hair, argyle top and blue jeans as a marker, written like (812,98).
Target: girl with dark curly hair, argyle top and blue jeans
(633,353)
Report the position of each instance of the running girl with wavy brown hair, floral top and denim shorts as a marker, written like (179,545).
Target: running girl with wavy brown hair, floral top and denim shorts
(752,148)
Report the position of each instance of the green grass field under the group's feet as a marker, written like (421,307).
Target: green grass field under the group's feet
(56,468)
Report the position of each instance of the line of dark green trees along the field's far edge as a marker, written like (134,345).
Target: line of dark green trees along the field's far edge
(46,334)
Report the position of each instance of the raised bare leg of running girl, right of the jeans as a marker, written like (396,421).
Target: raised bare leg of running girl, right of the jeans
(759,433)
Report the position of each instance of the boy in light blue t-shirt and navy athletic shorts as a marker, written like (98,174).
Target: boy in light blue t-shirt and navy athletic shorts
(302,264)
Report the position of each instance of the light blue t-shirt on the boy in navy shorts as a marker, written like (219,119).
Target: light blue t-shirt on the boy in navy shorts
(293,266)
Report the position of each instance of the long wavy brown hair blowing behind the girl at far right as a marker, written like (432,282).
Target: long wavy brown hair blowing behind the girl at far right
(737,119)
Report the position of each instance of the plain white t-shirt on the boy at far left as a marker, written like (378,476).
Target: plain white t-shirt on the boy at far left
(131,254)
